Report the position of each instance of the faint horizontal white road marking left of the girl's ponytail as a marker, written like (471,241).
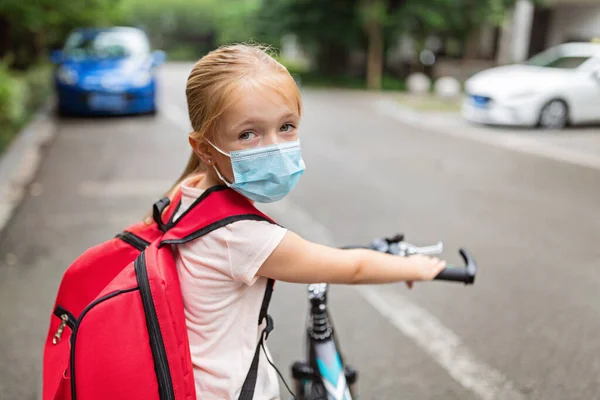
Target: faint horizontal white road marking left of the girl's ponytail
(124,188)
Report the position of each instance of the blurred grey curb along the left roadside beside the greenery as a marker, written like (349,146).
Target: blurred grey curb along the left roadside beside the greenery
(20,161)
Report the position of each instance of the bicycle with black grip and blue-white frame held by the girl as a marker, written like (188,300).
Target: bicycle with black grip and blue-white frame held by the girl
(324,375)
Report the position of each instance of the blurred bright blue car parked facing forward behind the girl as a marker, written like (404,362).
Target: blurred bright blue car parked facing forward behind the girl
(106,71)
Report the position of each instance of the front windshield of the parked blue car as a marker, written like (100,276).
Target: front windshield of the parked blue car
(106,44)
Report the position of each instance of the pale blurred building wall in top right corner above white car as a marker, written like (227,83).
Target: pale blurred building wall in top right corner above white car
(574,21)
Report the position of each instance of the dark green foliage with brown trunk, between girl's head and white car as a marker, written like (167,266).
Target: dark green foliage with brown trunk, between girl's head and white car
(329,29)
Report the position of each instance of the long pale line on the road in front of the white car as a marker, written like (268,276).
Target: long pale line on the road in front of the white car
(514,142)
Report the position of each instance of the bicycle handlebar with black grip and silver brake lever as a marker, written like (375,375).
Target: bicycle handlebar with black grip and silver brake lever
(397,246)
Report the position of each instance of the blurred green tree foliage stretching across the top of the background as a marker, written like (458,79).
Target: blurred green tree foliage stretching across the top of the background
(330,31)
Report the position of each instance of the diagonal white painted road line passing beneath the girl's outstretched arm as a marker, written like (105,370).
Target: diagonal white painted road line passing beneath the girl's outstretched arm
(439,342)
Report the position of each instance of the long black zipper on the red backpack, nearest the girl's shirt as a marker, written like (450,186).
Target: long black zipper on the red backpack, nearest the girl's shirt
(159,354)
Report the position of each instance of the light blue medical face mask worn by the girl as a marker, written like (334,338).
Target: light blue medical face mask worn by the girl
(265,174)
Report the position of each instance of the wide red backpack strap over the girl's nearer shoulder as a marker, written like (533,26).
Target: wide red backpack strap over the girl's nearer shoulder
(217,207)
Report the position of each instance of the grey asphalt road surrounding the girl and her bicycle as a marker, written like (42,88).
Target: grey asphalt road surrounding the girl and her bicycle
(528,328)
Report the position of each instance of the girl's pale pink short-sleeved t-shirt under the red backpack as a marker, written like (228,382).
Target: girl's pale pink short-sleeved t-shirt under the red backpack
(222,297)
